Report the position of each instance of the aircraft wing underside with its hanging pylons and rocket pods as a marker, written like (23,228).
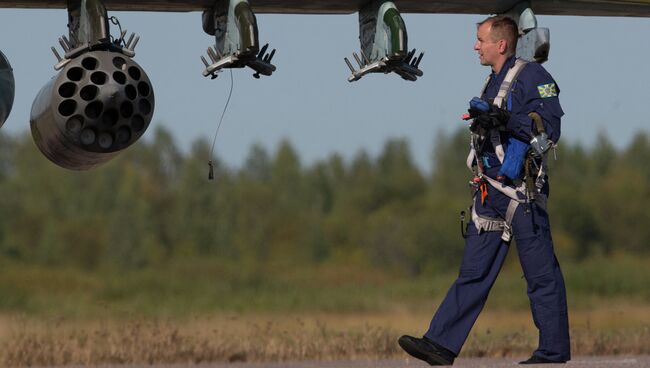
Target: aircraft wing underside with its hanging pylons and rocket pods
(102,101)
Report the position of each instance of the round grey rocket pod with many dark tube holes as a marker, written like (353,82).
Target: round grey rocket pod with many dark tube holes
(99,104)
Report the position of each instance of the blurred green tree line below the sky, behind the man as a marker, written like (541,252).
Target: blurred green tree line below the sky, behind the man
(153,205)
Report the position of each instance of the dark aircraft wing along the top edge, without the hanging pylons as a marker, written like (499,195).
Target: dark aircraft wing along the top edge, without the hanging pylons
(628,8)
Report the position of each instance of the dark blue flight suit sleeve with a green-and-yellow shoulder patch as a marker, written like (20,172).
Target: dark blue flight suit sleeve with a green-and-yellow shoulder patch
(535,91)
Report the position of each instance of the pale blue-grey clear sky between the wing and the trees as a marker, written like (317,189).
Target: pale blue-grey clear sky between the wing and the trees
(602,66)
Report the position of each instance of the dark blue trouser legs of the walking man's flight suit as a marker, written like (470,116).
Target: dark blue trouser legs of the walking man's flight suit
(482,260)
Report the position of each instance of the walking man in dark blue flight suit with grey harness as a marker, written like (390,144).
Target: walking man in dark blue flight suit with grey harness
(530,104)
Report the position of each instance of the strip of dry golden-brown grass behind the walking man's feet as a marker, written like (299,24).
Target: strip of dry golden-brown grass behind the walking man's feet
(28,342)
